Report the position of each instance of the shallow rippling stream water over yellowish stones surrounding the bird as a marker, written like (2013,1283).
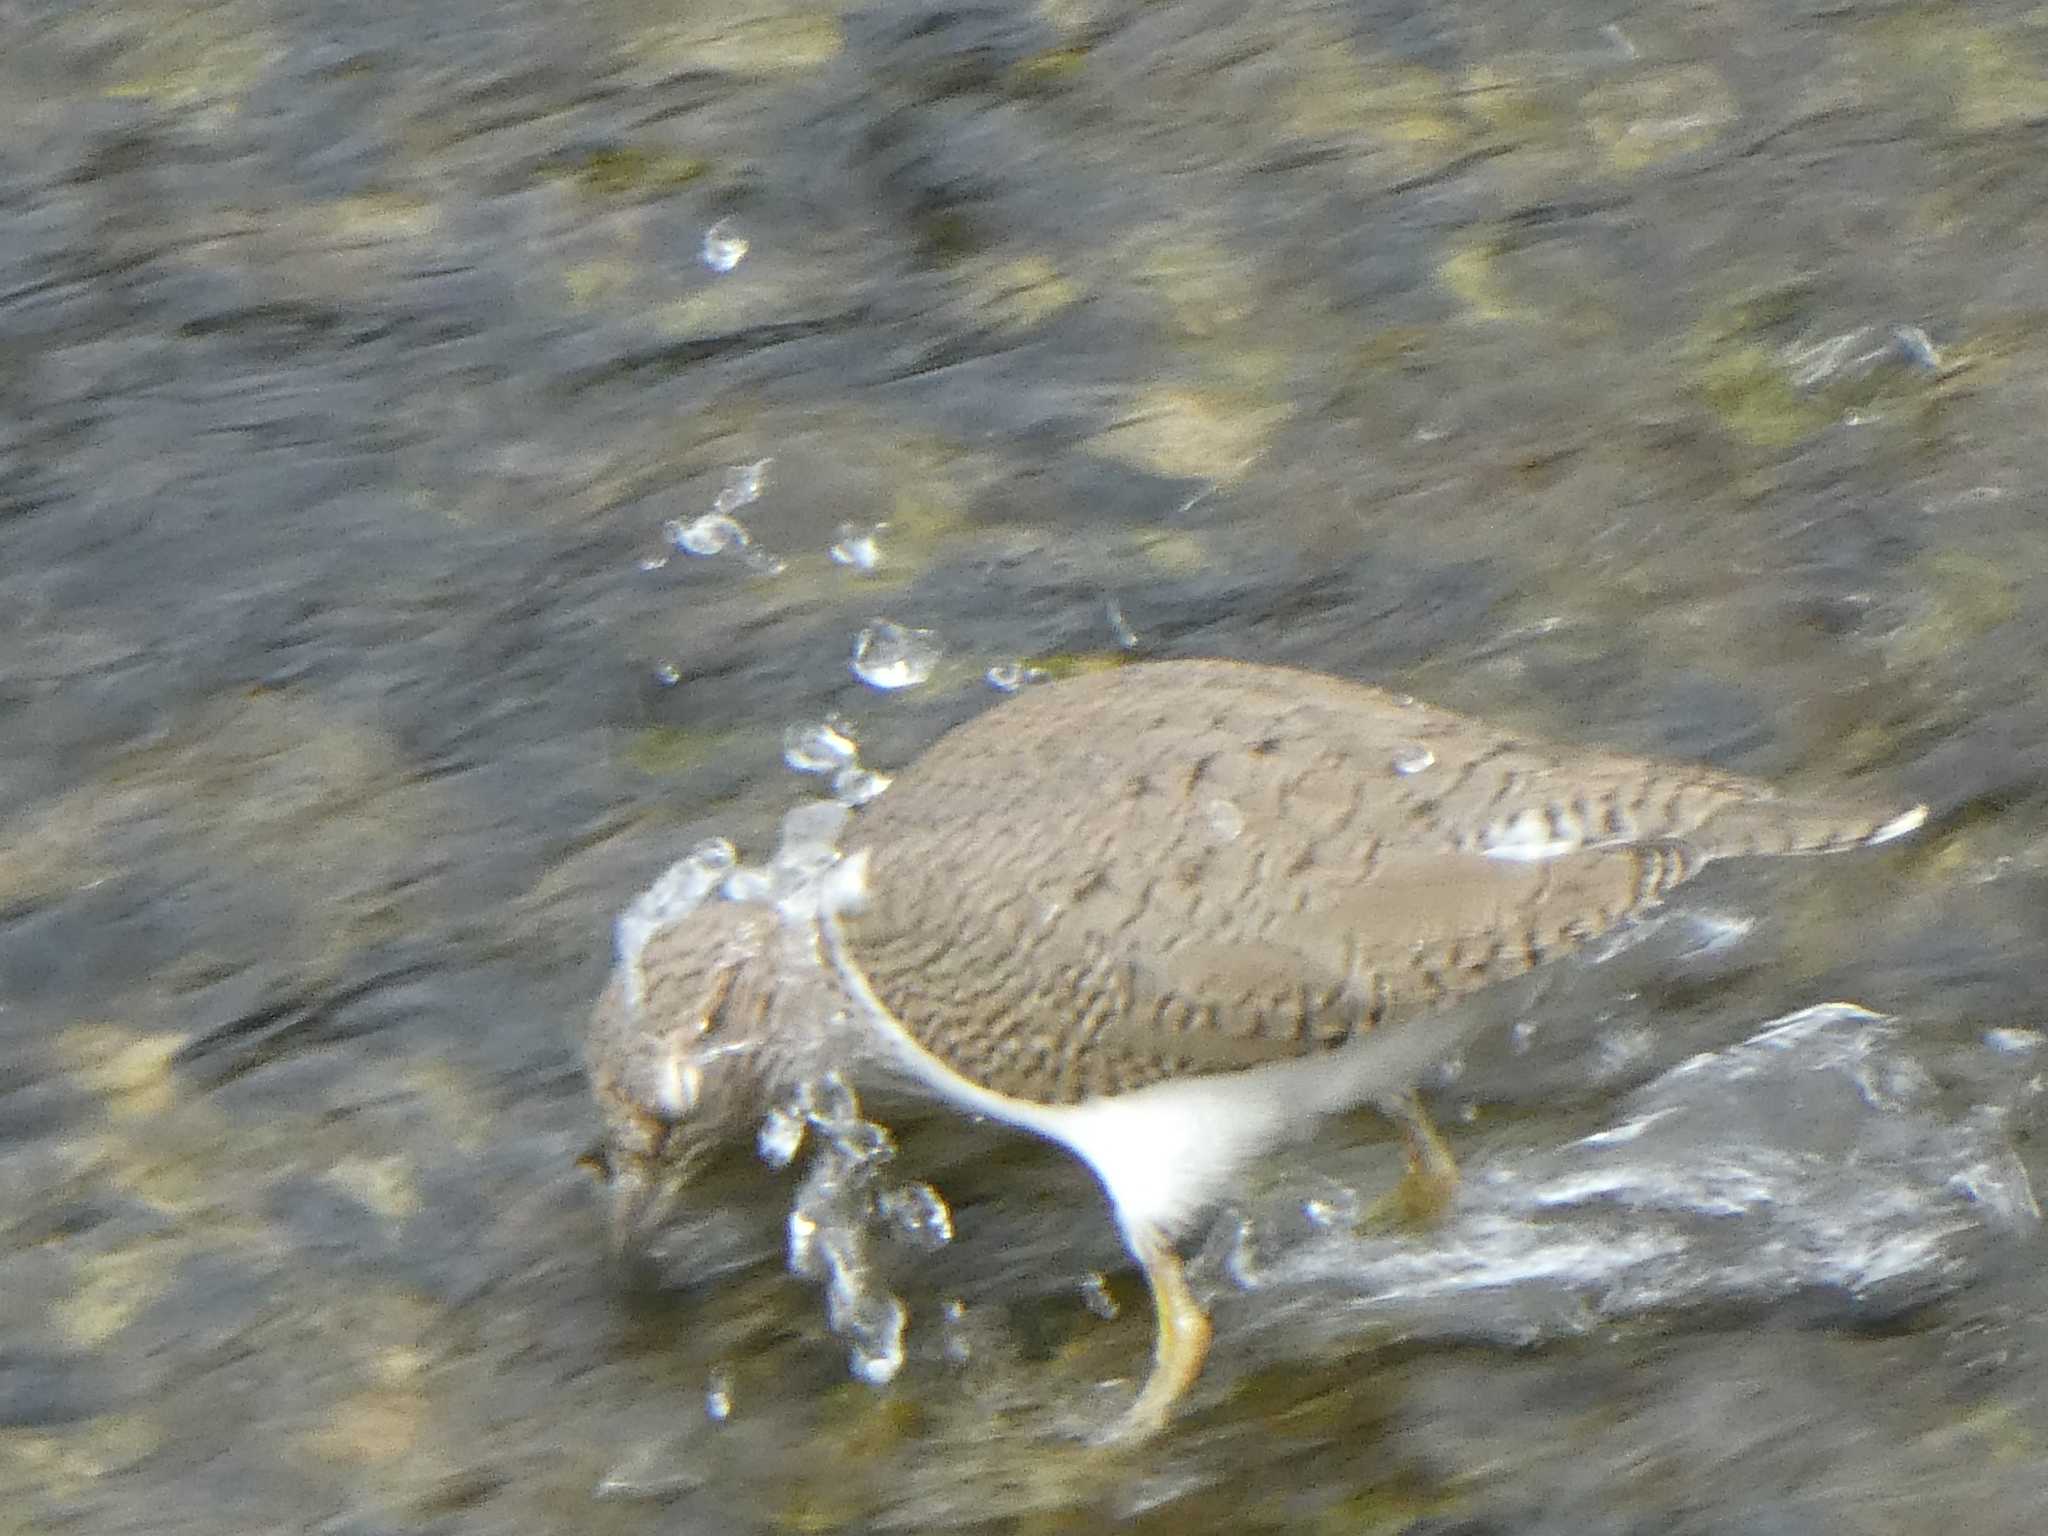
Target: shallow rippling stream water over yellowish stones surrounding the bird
(456,460)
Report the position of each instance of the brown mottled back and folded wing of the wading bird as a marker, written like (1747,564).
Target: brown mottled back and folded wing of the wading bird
(1201,865)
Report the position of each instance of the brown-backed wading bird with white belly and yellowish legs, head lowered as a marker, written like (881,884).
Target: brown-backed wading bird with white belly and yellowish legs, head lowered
(1170,916)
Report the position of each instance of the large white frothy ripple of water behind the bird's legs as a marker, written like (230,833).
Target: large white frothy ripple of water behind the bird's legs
(1809,1160)
